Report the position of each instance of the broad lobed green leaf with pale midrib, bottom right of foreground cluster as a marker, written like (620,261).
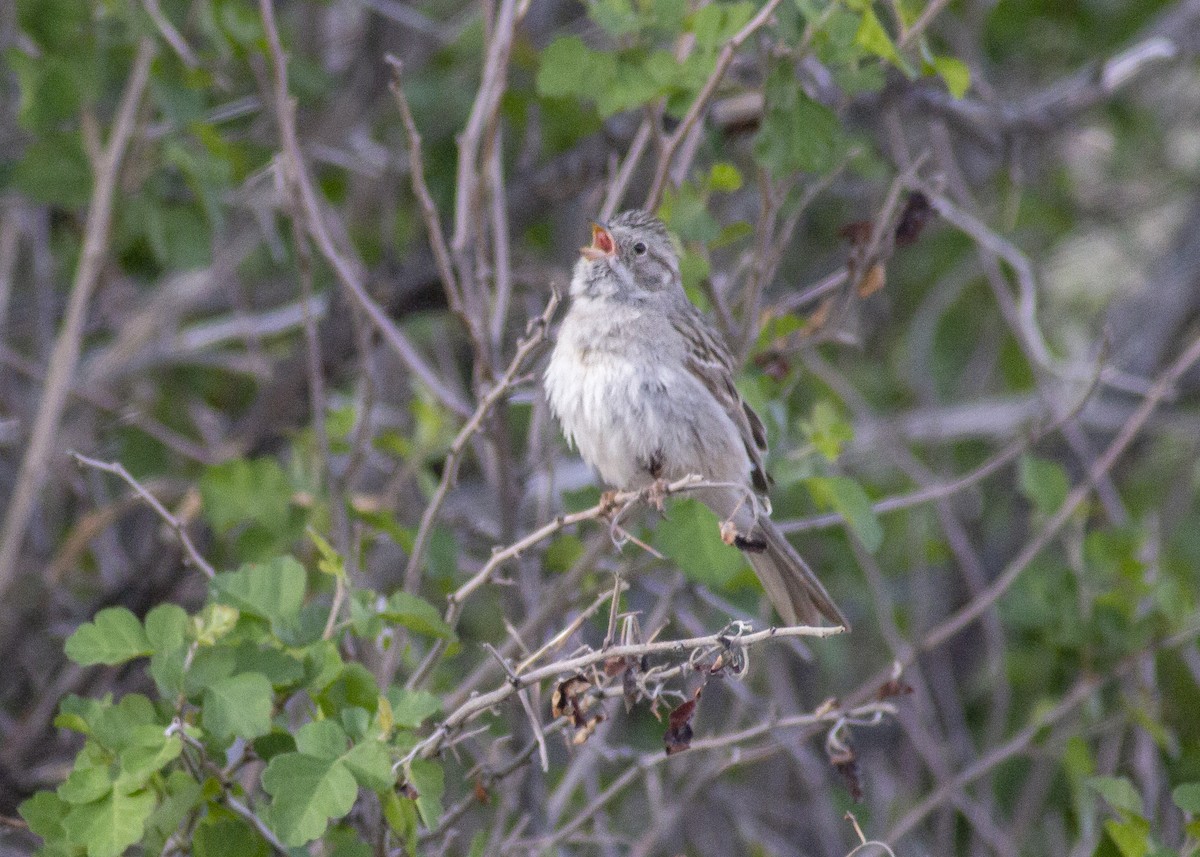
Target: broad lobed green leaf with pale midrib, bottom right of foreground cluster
(308,794)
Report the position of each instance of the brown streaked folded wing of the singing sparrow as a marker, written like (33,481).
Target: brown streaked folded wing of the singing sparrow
(711,362)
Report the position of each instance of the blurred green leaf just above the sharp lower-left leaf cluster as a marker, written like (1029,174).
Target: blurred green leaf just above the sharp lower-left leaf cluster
(247,492)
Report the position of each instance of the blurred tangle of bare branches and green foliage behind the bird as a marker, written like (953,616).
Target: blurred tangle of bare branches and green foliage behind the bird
(956,245)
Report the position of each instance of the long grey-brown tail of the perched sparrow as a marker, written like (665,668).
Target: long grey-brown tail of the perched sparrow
(791,585)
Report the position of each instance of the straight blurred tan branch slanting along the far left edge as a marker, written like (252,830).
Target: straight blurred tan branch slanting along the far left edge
(65,357)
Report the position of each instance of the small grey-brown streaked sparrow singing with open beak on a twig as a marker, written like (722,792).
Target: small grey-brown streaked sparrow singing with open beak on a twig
(644,387)
